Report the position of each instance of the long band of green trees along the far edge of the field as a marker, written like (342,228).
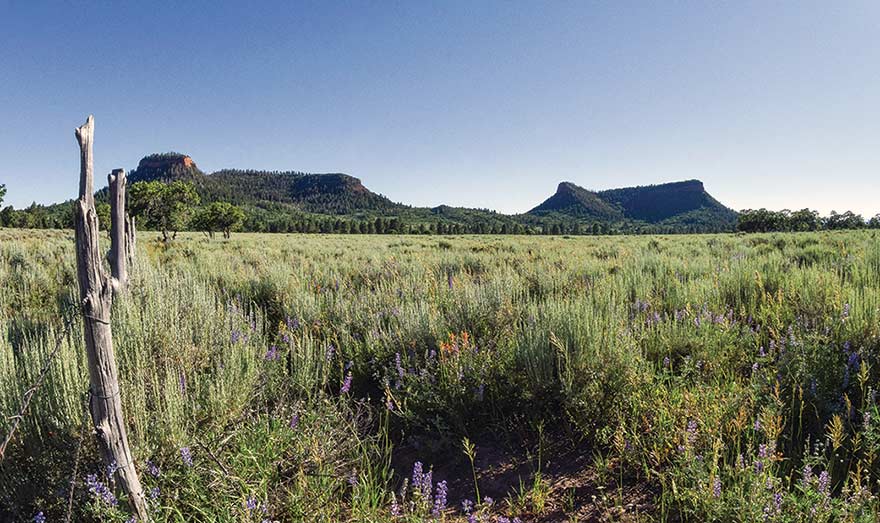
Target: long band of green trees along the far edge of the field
(177,206)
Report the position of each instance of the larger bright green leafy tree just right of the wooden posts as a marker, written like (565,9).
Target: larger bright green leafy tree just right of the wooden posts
(161,206)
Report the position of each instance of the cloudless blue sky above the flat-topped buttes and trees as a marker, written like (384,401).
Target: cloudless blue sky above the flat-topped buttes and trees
(471,103)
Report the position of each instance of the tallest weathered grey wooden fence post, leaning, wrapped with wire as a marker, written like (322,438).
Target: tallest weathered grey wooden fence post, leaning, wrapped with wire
(96,294)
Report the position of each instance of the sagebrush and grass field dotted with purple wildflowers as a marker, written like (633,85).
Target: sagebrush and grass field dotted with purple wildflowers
(412,378)
